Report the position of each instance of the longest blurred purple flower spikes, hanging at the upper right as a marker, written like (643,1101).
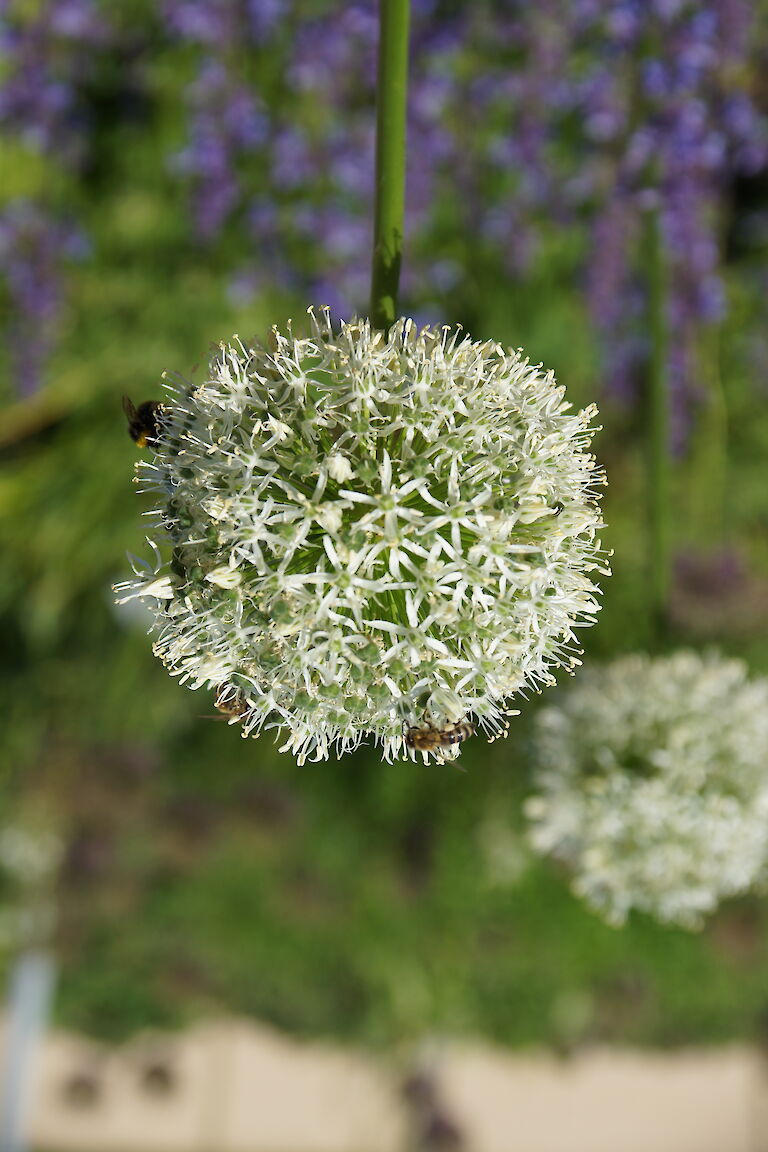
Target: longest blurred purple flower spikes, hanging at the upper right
(668,123)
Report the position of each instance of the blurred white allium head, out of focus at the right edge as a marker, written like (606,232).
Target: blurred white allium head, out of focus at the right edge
(653,785)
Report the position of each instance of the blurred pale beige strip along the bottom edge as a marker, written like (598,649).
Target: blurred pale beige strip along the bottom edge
(240,1088)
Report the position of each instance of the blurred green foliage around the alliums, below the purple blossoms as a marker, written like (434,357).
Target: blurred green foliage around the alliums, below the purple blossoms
(376,903)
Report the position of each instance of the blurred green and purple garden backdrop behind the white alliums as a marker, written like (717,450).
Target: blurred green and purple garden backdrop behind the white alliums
(588,180)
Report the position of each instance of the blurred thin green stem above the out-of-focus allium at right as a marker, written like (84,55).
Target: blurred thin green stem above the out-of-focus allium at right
(659,475)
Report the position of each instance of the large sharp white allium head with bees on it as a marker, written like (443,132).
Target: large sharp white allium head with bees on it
(371,533)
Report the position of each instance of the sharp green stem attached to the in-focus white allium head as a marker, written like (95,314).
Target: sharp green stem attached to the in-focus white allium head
(391,161)
